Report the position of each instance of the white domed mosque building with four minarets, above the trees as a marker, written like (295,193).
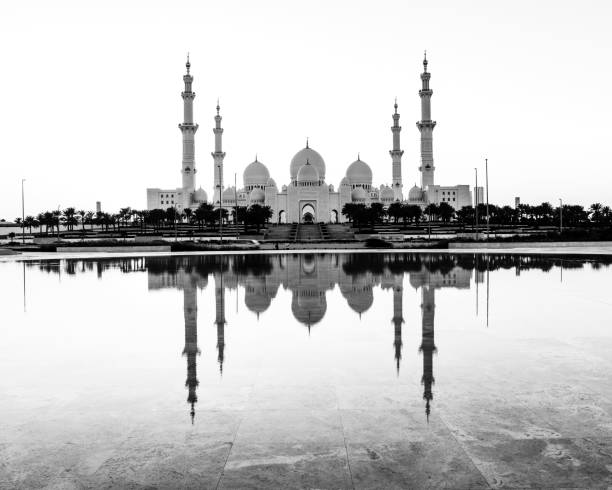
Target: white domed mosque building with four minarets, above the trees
(307,197)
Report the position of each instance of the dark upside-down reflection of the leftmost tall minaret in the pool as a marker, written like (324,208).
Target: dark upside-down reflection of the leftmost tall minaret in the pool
(190,307)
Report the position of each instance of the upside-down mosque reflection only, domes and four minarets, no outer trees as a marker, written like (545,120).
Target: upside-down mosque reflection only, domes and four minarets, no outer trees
(308,277)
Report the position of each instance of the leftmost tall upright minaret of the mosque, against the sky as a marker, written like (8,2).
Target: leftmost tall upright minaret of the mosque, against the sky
(188,128)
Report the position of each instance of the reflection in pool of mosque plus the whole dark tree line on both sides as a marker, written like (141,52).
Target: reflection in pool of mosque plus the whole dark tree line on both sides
(309,277)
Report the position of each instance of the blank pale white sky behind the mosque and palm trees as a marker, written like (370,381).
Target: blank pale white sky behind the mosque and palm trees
(90,94)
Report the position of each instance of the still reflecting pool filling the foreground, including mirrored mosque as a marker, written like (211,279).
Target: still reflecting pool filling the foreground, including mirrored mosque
(306,370)
